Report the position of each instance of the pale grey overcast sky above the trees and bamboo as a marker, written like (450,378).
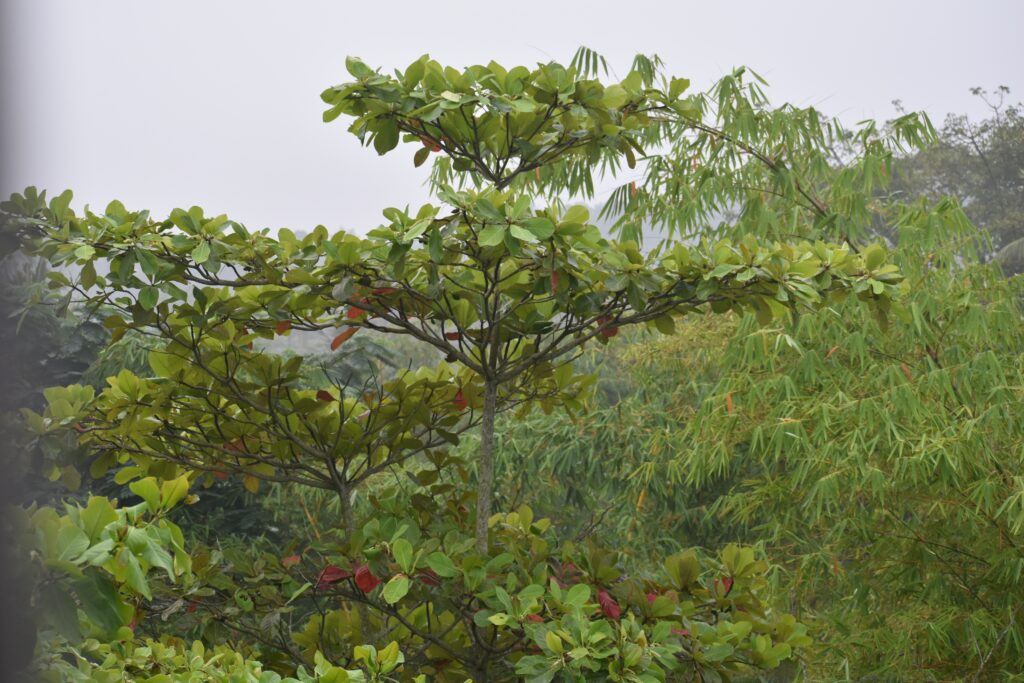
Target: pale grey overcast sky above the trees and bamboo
(217,102)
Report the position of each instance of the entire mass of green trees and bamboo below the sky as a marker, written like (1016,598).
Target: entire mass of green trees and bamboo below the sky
(488,442)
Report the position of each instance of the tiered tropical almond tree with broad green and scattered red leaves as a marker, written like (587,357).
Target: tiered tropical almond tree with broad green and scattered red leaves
(509,293)
